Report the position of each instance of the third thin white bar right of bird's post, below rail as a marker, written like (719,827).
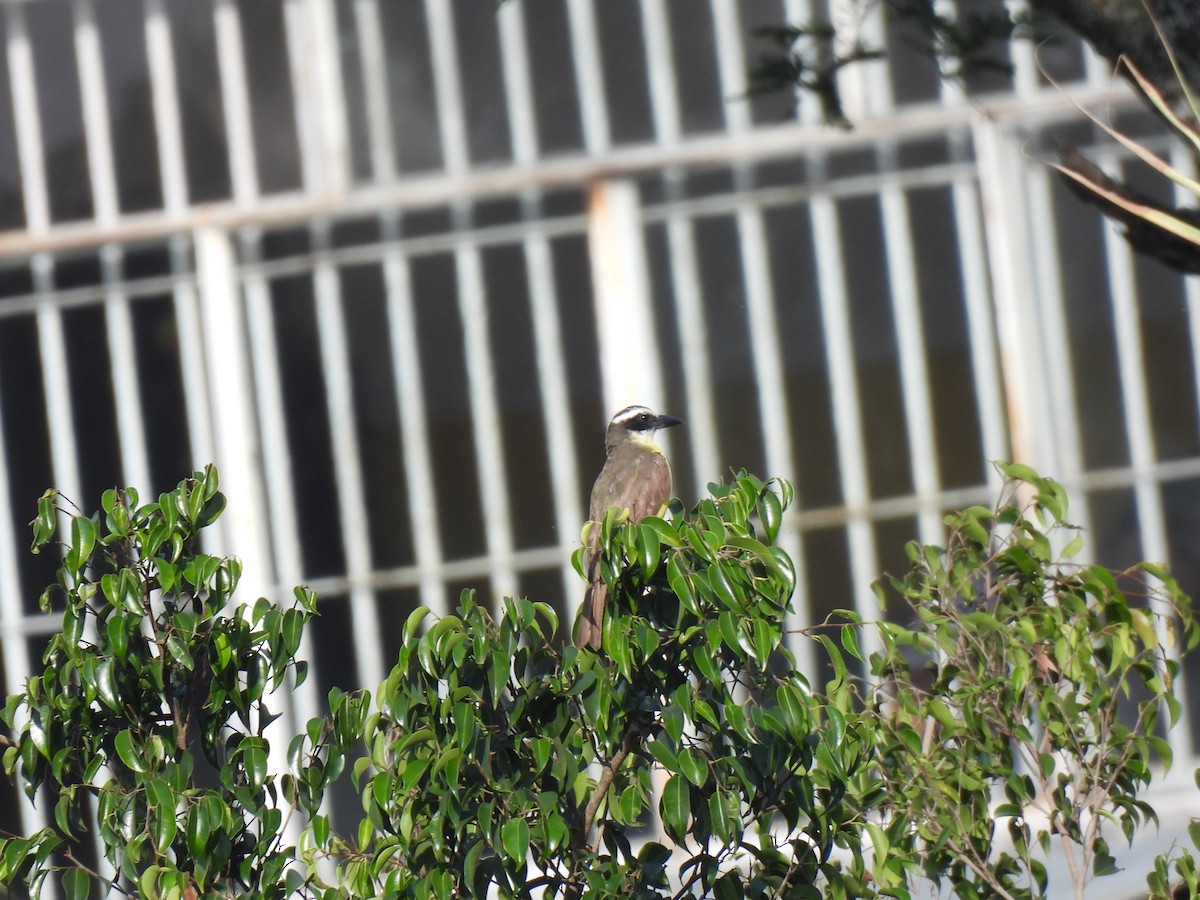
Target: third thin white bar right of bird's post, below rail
(847,412)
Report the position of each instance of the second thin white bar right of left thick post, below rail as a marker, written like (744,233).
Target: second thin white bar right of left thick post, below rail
(352,507)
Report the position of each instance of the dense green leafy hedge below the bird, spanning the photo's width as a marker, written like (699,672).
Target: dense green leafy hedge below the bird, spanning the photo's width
(1009,700)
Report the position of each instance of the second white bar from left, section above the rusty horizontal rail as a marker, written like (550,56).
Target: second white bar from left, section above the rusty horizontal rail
(95,113)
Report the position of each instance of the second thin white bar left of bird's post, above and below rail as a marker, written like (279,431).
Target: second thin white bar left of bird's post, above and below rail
(473,309)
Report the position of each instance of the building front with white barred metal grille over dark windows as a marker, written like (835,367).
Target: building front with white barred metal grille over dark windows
(393,263)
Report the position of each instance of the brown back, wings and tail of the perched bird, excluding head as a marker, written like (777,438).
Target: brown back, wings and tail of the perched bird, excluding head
(640,483)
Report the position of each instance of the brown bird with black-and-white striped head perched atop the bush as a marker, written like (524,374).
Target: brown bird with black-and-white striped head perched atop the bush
(637,478)
